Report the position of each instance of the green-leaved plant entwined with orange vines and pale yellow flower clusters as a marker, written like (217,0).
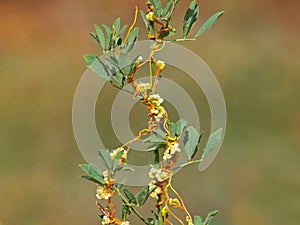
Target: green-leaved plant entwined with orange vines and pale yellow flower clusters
(120,69)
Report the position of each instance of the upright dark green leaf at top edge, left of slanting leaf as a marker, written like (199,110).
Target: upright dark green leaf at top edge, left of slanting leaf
(190,17)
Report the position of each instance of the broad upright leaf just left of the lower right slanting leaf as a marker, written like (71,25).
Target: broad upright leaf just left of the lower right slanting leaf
(191,141)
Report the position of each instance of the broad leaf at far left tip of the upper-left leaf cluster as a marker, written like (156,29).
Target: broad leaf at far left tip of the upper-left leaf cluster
(97,66)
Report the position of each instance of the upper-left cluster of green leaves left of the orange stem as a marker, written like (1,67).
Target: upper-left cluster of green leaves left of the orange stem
(118,65)
